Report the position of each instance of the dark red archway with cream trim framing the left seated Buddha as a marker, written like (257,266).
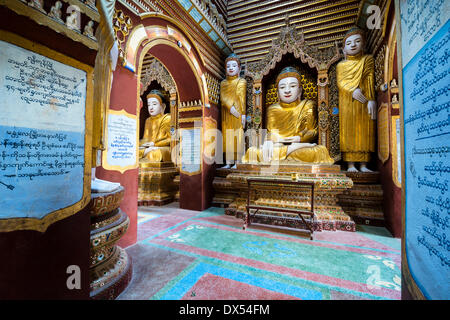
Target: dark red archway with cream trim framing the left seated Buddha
(164,39)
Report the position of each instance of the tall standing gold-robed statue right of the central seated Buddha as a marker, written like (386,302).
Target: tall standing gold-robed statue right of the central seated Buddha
(357,105)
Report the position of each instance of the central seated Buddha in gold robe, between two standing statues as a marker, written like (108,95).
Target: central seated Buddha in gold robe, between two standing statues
(291,126)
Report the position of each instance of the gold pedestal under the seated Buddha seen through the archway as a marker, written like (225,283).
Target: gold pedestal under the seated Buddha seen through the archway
(156,183)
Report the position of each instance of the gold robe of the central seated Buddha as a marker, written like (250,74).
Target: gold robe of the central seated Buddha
(287,120)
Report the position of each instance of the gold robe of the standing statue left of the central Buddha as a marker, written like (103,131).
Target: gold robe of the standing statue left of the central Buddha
(233,92)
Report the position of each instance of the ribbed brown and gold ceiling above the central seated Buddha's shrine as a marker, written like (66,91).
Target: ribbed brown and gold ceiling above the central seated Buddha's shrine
(253,24)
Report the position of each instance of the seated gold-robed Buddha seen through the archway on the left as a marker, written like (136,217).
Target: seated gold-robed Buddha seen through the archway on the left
(155,144)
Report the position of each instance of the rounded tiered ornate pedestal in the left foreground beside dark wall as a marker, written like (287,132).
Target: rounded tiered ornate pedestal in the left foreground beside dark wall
(110,267)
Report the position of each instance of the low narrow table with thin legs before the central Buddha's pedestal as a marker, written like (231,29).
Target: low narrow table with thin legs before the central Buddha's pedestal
(280,183)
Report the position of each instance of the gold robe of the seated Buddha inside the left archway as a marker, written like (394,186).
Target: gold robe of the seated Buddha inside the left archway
(157,130)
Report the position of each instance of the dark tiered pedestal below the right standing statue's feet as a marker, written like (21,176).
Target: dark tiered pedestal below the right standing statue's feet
(364,201)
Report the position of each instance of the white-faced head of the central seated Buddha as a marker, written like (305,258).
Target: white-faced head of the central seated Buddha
(288,84)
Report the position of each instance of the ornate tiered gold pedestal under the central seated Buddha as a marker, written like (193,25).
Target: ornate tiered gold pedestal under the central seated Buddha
(328,180)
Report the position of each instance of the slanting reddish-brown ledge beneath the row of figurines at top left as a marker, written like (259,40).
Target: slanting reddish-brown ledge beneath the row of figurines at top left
(42,19)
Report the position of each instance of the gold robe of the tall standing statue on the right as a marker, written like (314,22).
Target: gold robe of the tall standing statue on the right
(356,128)
